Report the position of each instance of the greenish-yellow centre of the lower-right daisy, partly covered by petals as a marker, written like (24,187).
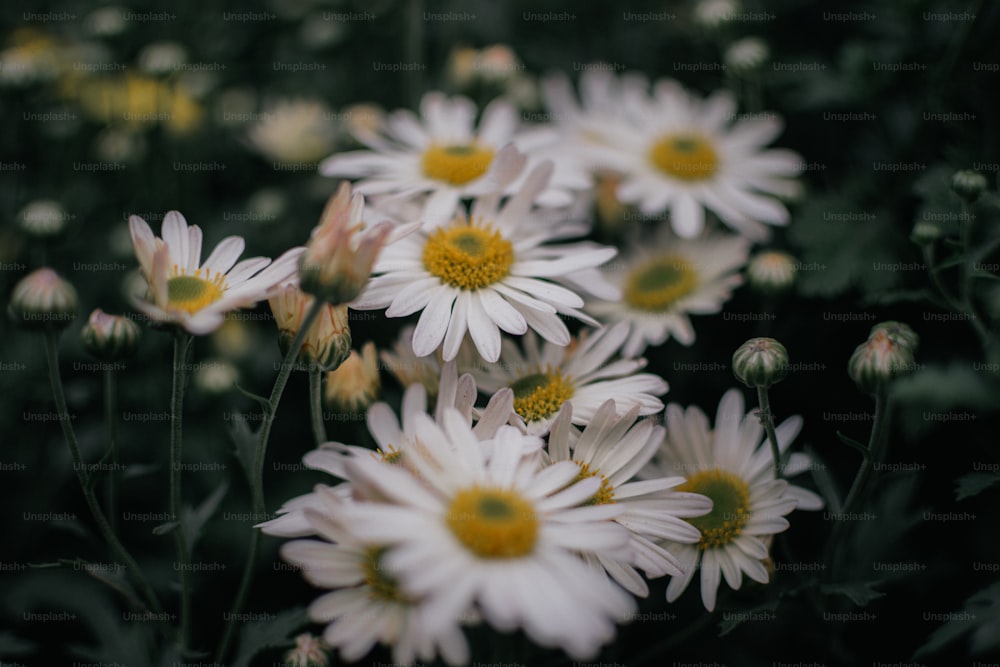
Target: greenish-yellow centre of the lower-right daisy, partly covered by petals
(730,510)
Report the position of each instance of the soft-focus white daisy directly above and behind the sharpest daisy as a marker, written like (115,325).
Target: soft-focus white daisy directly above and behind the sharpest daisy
(443,154)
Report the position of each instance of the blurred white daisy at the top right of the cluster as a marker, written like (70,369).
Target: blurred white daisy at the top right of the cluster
(682,154)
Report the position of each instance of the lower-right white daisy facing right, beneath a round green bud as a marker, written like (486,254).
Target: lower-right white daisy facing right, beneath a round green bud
(732,465)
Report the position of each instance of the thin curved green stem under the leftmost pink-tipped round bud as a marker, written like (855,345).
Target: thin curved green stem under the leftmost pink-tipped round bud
(119,551)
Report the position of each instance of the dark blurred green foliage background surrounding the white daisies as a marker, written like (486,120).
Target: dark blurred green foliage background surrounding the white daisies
(222,111)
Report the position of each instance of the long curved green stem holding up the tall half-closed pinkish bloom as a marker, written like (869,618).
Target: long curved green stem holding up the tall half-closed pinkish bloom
(257,476)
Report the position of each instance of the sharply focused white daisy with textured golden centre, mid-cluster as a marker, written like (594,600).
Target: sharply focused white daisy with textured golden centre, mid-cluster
(487,271)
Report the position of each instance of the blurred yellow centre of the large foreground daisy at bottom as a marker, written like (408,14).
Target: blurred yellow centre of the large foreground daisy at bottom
(493,523)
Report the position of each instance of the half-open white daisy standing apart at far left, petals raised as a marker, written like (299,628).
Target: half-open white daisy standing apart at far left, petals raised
(193,294)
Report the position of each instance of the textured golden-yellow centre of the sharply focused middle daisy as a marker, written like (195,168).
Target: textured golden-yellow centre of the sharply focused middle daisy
(468,257)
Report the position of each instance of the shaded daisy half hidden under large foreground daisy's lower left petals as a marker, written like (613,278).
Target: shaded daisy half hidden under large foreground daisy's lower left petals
(367,605)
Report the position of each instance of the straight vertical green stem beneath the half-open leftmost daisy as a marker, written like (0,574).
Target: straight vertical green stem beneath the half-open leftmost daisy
(181,342)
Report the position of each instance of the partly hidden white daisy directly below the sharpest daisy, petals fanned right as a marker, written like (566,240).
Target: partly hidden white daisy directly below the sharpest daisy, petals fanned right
(544,377)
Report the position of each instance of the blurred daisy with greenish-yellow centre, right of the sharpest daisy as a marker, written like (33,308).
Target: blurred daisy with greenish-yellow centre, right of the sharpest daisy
(664,281)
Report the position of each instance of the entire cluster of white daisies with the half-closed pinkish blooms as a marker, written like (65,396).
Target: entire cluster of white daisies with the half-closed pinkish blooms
(528,483)
